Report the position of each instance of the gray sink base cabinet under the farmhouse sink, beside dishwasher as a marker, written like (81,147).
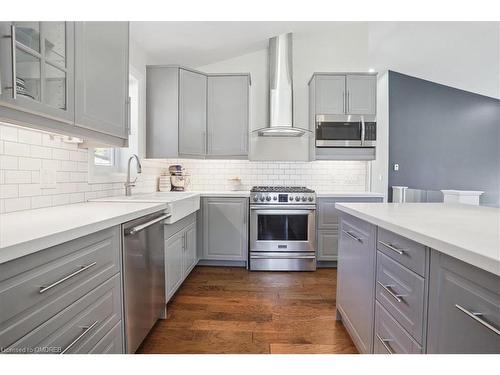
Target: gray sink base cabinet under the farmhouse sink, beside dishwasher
(180,253)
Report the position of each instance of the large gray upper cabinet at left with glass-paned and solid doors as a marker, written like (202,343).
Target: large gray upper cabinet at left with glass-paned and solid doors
(66,77)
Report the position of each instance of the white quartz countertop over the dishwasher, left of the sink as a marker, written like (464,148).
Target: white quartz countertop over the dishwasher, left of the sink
(26,232)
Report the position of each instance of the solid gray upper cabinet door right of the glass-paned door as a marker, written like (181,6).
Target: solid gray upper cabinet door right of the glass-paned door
(101,71)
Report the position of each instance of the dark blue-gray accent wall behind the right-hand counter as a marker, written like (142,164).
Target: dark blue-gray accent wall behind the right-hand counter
(443,138)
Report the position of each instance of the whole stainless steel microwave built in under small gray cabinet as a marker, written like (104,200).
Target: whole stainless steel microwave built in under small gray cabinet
(346,131)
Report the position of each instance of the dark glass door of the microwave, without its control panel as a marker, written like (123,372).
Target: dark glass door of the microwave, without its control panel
(339,131)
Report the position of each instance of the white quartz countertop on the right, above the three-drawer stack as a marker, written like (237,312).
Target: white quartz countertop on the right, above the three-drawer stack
(466,232)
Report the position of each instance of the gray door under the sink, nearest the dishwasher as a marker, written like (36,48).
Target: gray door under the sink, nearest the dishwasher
(174,255)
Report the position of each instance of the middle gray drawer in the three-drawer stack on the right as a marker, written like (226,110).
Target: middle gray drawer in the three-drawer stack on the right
(401,292)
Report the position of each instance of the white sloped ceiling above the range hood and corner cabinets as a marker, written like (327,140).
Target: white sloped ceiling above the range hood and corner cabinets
(200,43)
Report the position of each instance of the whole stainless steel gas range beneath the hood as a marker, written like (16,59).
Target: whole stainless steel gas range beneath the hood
(282,228)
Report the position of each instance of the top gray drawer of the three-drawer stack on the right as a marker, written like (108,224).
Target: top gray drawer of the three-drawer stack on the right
(407,252)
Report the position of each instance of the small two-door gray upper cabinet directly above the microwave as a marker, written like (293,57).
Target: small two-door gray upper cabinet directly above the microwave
(337,94)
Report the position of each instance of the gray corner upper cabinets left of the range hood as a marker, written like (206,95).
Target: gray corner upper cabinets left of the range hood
(196,115)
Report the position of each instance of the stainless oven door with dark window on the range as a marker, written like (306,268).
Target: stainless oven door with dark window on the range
(282,228)
